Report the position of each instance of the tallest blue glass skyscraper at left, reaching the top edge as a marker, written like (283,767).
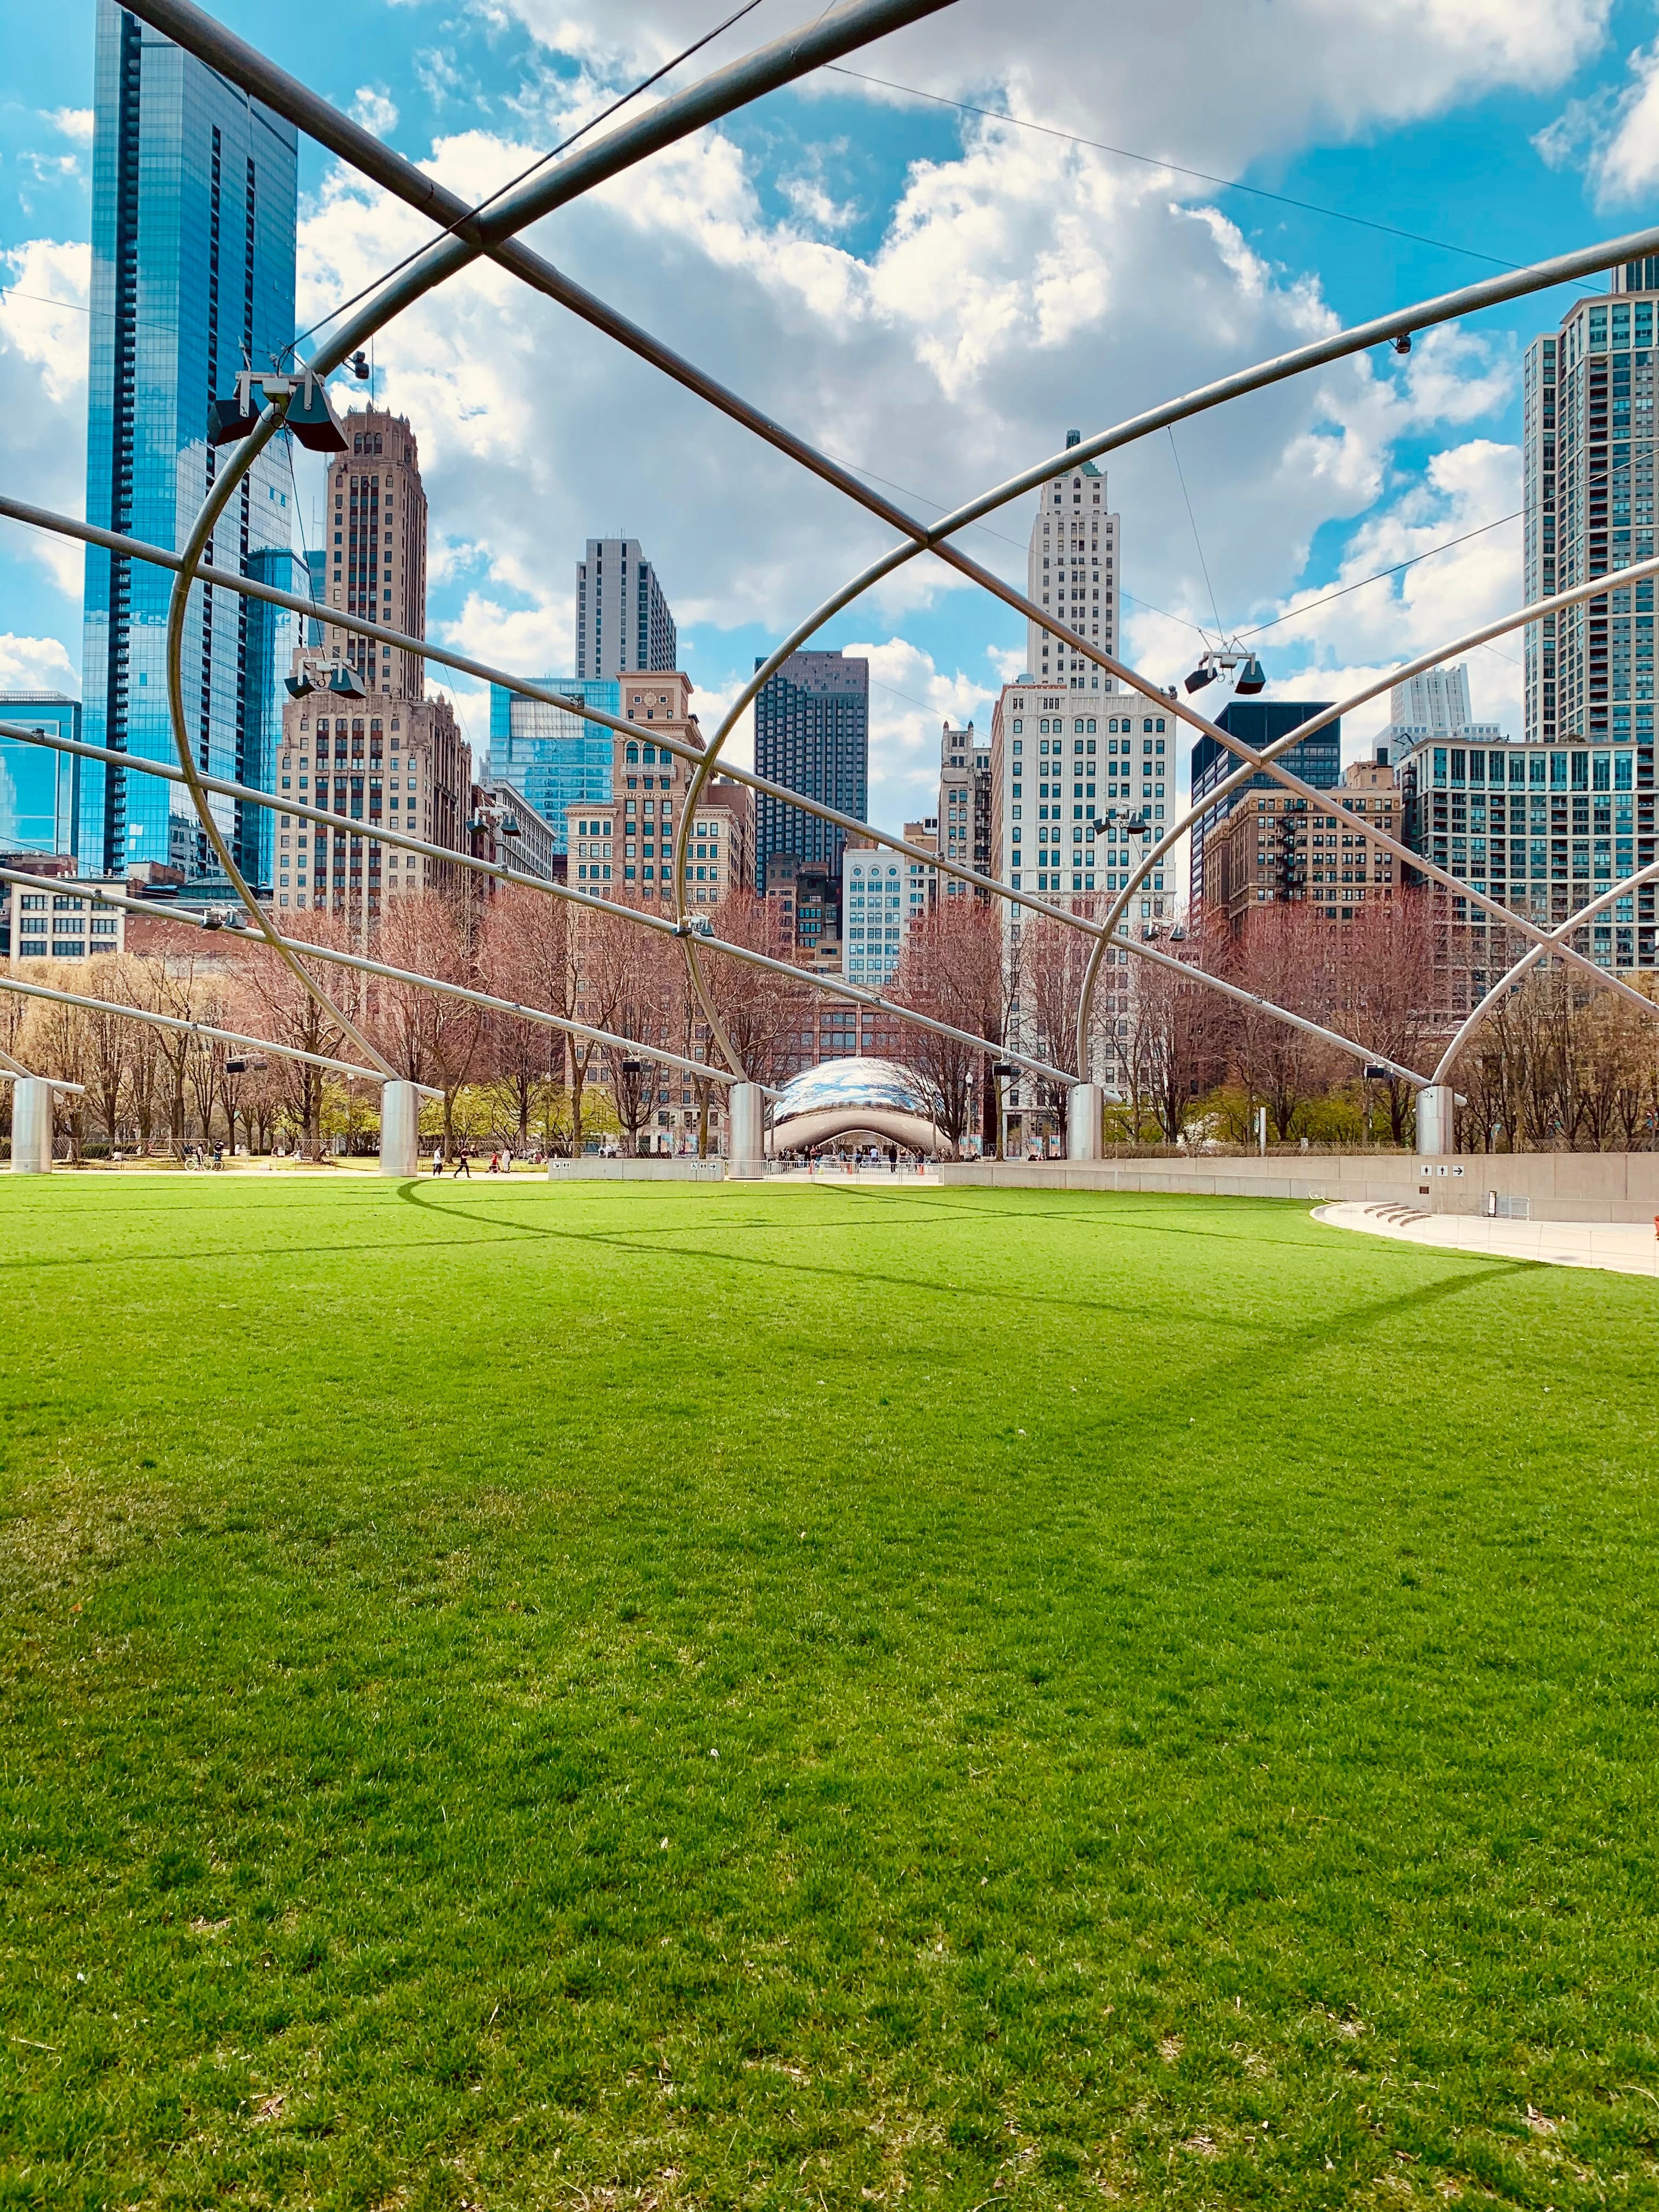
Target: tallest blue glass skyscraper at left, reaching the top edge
(194,275)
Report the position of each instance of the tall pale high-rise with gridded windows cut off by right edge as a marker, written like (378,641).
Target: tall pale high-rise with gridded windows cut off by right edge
(1589,512)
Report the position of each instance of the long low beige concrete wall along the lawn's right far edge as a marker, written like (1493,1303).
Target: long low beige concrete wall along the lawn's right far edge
(1558,1187)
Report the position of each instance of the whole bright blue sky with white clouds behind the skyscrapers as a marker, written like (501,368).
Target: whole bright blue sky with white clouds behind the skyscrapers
(930,298)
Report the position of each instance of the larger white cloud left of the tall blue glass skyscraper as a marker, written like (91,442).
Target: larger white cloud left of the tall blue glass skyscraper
(43,393)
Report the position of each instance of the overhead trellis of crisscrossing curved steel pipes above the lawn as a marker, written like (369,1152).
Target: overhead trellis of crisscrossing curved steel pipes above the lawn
(492,231)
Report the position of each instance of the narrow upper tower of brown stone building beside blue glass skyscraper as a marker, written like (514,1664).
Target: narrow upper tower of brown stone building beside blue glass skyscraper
(377,550)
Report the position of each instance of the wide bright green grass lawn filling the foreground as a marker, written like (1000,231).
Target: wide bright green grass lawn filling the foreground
(605,1695)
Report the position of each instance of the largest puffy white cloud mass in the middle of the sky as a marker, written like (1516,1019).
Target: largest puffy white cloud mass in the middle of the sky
(939,364)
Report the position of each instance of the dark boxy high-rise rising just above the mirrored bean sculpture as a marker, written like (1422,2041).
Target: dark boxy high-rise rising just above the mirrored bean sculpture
(813,735)
